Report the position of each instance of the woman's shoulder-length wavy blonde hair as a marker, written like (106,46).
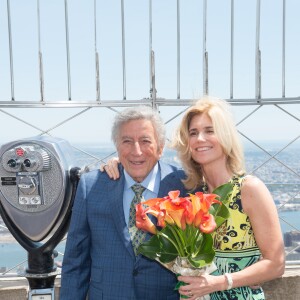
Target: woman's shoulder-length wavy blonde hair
(219,112)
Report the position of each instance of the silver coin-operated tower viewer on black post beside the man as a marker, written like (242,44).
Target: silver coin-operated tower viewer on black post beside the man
(37,189)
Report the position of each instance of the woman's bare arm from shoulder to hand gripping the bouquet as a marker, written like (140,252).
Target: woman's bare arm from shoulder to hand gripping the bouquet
(258,204)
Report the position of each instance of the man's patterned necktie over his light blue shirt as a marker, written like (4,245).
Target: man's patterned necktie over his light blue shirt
(137,236)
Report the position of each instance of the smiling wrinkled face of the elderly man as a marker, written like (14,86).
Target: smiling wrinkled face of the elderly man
(138,148)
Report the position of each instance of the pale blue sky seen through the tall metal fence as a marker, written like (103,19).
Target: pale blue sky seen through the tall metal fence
(96,122)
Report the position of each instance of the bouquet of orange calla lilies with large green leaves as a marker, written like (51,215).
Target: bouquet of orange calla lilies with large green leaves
(184,226)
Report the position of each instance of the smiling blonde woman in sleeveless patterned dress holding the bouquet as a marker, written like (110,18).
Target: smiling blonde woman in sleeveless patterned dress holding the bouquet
(249,246)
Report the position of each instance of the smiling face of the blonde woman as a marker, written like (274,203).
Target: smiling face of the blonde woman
(204,145)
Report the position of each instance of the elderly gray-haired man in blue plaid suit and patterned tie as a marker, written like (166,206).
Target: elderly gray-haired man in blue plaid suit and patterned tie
(100,258)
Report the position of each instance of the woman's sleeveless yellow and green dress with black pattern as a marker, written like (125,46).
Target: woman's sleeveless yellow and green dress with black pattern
(235,247)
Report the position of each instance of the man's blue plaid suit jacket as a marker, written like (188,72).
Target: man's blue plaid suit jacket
(99,261)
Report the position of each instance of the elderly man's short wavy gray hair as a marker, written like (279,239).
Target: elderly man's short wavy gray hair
(139,113)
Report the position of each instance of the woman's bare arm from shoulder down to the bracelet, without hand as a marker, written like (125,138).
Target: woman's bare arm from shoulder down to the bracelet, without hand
(258,204)
